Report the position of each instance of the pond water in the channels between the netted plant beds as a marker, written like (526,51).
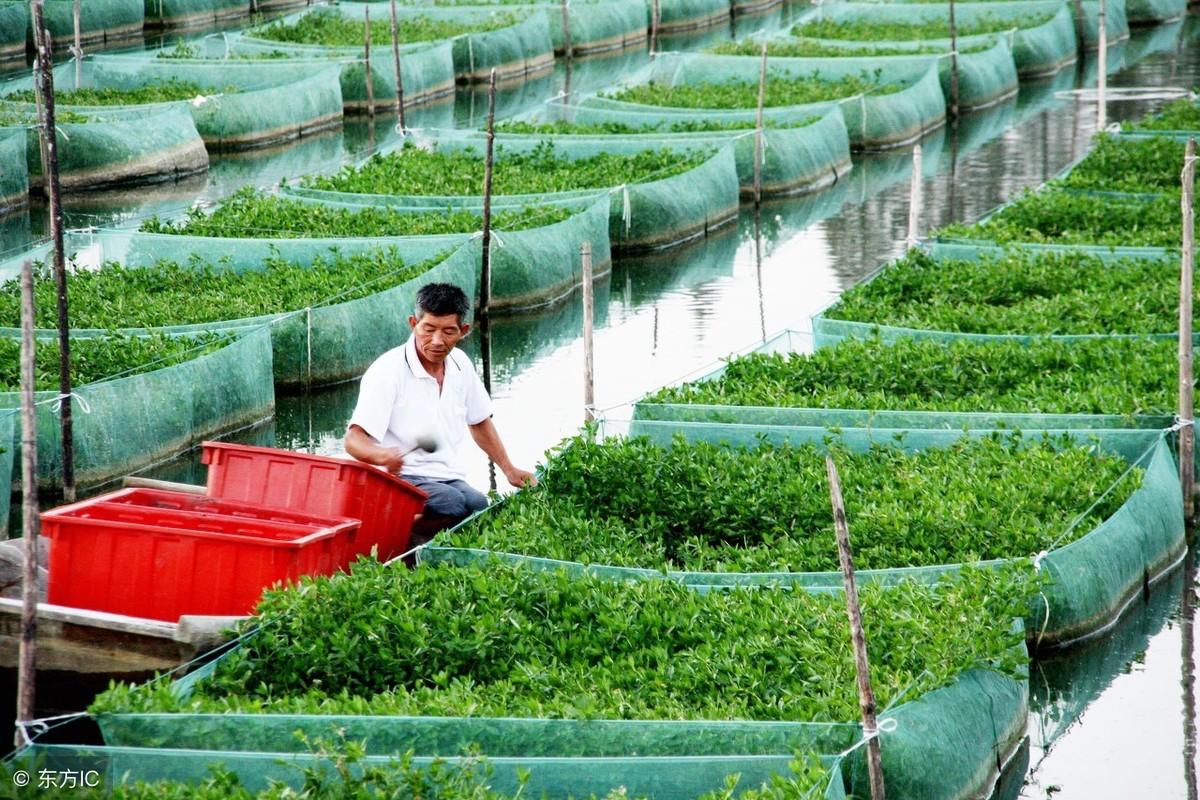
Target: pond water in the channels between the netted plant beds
(1113,718)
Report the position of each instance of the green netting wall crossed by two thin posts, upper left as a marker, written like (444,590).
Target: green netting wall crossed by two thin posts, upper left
(428,70)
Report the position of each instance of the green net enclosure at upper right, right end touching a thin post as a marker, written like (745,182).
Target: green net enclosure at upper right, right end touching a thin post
(895,110)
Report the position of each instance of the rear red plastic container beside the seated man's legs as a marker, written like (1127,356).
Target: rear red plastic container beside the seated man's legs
(319,485)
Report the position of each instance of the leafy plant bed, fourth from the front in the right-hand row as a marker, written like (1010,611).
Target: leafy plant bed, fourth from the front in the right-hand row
(1012,293)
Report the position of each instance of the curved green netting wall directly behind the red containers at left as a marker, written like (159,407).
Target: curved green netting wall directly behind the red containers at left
(139,420)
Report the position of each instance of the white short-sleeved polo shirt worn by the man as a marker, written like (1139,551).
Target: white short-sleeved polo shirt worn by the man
(399,402)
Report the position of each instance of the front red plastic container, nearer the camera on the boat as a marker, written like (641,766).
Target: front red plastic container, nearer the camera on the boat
(161,555)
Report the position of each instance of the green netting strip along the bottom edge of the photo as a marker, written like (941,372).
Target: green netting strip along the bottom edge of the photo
(671,779)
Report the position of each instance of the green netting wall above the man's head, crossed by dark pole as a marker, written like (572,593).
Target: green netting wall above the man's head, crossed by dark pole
(532,267)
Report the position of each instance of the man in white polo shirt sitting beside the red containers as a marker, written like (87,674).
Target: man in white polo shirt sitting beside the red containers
(427,392)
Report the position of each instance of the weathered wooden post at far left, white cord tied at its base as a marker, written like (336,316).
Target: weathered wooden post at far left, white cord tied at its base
(27,658)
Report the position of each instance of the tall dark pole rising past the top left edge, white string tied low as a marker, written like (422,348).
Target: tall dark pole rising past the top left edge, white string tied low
(50,152)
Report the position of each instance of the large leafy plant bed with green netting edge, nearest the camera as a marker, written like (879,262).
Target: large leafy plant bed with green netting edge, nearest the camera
(579,695)
